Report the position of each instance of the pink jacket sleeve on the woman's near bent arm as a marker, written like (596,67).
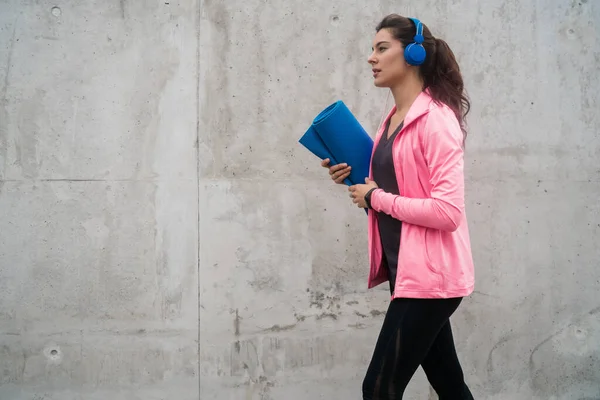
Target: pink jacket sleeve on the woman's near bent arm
(443,153)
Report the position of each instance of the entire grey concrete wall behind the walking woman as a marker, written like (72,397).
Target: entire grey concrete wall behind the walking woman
(163,235)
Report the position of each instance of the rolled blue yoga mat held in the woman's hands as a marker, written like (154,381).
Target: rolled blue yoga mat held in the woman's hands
(336,134)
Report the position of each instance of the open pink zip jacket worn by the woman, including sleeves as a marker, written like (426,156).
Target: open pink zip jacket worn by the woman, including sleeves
(435,251)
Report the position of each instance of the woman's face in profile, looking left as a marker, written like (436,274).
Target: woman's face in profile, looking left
(387,60)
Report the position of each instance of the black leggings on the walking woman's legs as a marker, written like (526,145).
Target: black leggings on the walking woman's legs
(416,332)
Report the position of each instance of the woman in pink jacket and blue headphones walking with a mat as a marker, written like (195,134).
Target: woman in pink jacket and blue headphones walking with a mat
(418,233)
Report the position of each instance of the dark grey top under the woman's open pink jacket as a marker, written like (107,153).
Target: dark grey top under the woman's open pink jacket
(384,175)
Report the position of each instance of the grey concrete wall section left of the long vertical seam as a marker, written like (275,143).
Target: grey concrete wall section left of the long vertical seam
(98,200)
